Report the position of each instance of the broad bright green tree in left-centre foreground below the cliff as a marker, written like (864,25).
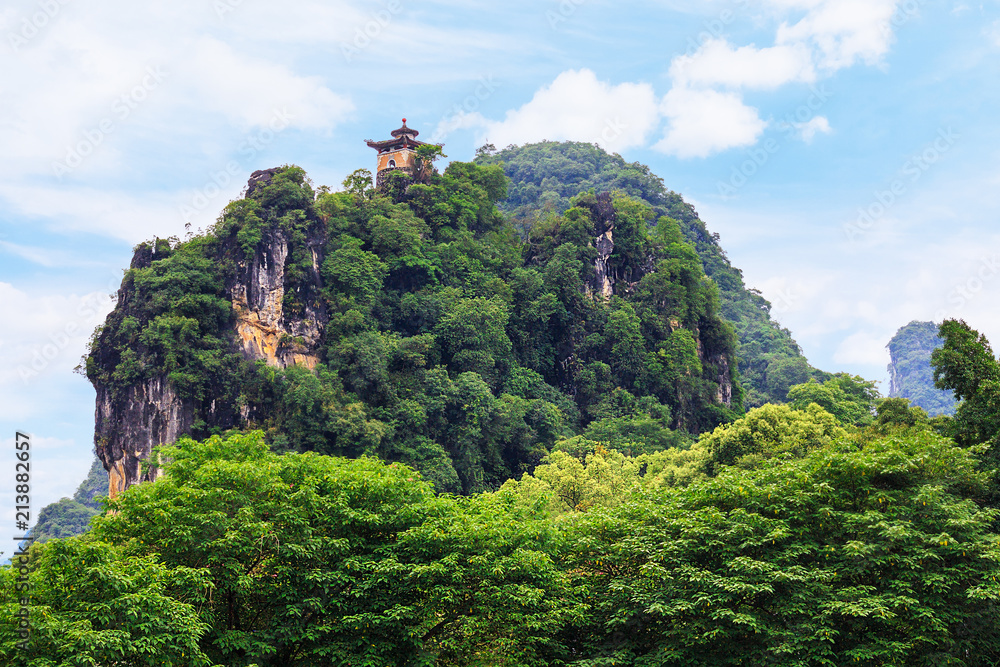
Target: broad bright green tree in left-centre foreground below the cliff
(325,561)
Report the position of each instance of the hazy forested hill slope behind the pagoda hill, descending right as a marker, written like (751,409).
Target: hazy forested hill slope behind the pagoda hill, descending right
(546,176)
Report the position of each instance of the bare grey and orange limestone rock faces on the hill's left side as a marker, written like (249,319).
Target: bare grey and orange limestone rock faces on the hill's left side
(131,420)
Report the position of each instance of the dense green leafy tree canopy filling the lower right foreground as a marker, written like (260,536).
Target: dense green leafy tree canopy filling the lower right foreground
(847,556)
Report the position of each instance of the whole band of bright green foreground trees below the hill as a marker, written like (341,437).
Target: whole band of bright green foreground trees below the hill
(866,551)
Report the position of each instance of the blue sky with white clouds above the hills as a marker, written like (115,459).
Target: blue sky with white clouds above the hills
(846,150)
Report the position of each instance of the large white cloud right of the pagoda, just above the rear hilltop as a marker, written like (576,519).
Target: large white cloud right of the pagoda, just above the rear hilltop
(575,106)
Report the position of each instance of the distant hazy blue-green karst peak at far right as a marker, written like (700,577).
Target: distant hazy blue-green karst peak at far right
(910,369)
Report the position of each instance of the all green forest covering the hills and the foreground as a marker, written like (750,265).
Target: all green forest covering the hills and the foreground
(494,464)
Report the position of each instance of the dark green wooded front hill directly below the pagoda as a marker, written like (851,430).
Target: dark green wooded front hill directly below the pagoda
(444,341)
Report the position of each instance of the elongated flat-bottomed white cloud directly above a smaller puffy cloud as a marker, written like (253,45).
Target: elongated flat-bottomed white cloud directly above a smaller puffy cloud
(718,63)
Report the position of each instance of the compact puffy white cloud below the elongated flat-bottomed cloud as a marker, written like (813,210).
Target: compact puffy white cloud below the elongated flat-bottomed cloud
(703,122)
